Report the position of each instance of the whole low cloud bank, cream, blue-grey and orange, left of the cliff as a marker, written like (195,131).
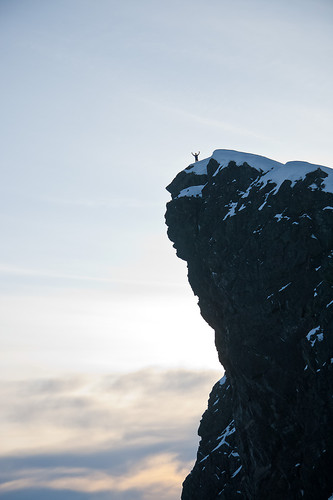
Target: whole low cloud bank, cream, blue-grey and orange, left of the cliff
(121,434)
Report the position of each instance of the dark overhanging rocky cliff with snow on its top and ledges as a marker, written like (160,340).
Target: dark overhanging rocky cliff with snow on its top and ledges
(258,237)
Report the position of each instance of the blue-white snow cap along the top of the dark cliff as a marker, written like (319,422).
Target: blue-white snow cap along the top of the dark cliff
(272,170)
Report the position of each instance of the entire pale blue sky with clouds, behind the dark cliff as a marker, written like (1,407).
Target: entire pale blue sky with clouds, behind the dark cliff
(106,363)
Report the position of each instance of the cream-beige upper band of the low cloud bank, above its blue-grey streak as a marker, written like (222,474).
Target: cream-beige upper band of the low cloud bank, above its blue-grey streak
(145,403)
